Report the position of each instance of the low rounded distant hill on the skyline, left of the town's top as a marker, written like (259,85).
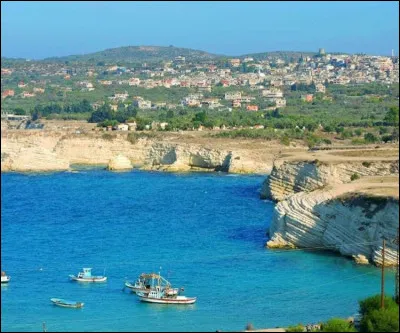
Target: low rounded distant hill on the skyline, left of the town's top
(139,53)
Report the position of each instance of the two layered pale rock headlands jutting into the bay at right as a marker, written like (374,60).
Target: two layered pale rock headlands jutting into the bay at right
(320,207)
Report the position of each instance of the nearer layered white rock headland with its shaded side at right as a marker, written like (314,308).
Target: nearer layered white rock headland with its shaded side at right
(353,225)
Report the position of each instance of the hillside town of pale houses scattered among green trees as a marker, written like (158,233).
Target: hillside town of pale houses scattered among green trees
(221,84)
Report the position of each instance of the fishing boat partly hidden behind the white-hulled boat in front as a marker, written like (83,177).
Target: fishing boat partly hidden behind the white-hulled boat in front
(145,281)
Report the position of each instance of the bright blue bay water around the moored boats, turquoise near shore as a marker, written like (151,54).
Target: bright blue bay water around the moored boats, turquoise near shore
(205,231)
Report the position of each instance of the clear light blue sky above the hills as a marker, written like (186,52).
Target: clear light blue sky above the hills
(38,29)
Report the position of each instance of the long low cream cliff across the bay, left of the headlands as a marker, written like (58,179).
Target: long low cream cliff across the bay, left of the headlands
(43,151)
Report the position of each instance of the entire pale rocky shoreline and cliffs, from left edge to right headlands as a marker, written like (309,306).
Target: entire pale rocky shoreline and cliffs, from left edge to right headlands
(344,200)
